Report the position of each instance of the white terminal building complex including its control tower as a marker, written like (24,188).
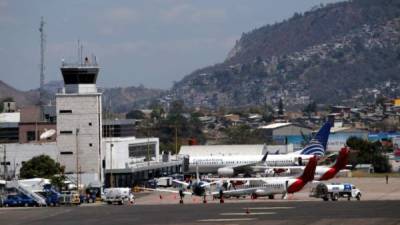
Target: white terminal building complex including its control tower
(90,155)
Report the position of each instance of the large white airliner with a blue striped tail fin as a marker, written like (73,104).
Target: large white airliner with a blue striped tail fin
(228,166)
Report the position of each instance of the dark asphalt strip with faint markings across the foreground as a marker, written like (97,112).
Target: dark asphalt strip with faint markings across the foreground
(342,212)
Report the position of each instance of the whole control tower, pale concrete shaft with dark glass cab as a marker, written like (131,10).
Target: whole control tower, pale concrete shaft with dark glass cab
(79,123)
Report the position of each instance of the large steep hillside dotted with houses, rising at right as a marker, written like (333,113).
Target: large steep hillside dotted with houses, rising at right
(350,46)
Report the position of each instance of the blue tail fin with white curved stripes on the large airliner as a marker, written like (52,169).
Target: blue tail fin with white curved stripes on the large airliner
(318,144)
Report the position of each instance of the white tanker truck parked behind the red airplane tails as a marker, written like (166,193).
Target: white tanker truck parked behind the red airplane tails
(335,191)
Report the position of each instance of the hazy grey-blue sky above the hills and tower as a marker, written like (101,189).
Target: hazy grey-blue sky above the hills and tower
(149,42)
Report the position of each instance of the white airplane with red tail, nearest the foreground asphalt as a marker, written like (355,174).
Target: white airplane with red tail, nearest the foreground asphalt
(268,186)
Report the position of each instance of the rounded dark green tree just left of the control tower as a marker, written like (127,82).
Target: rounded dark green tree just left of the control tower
(40,166)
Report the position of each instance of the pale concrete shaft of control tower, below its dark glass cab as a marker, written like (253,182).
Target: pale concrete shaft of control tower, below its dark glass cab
(85,116)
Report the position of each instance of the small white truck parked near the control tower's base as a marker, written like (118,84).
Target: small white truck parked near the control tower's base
(118,195)
